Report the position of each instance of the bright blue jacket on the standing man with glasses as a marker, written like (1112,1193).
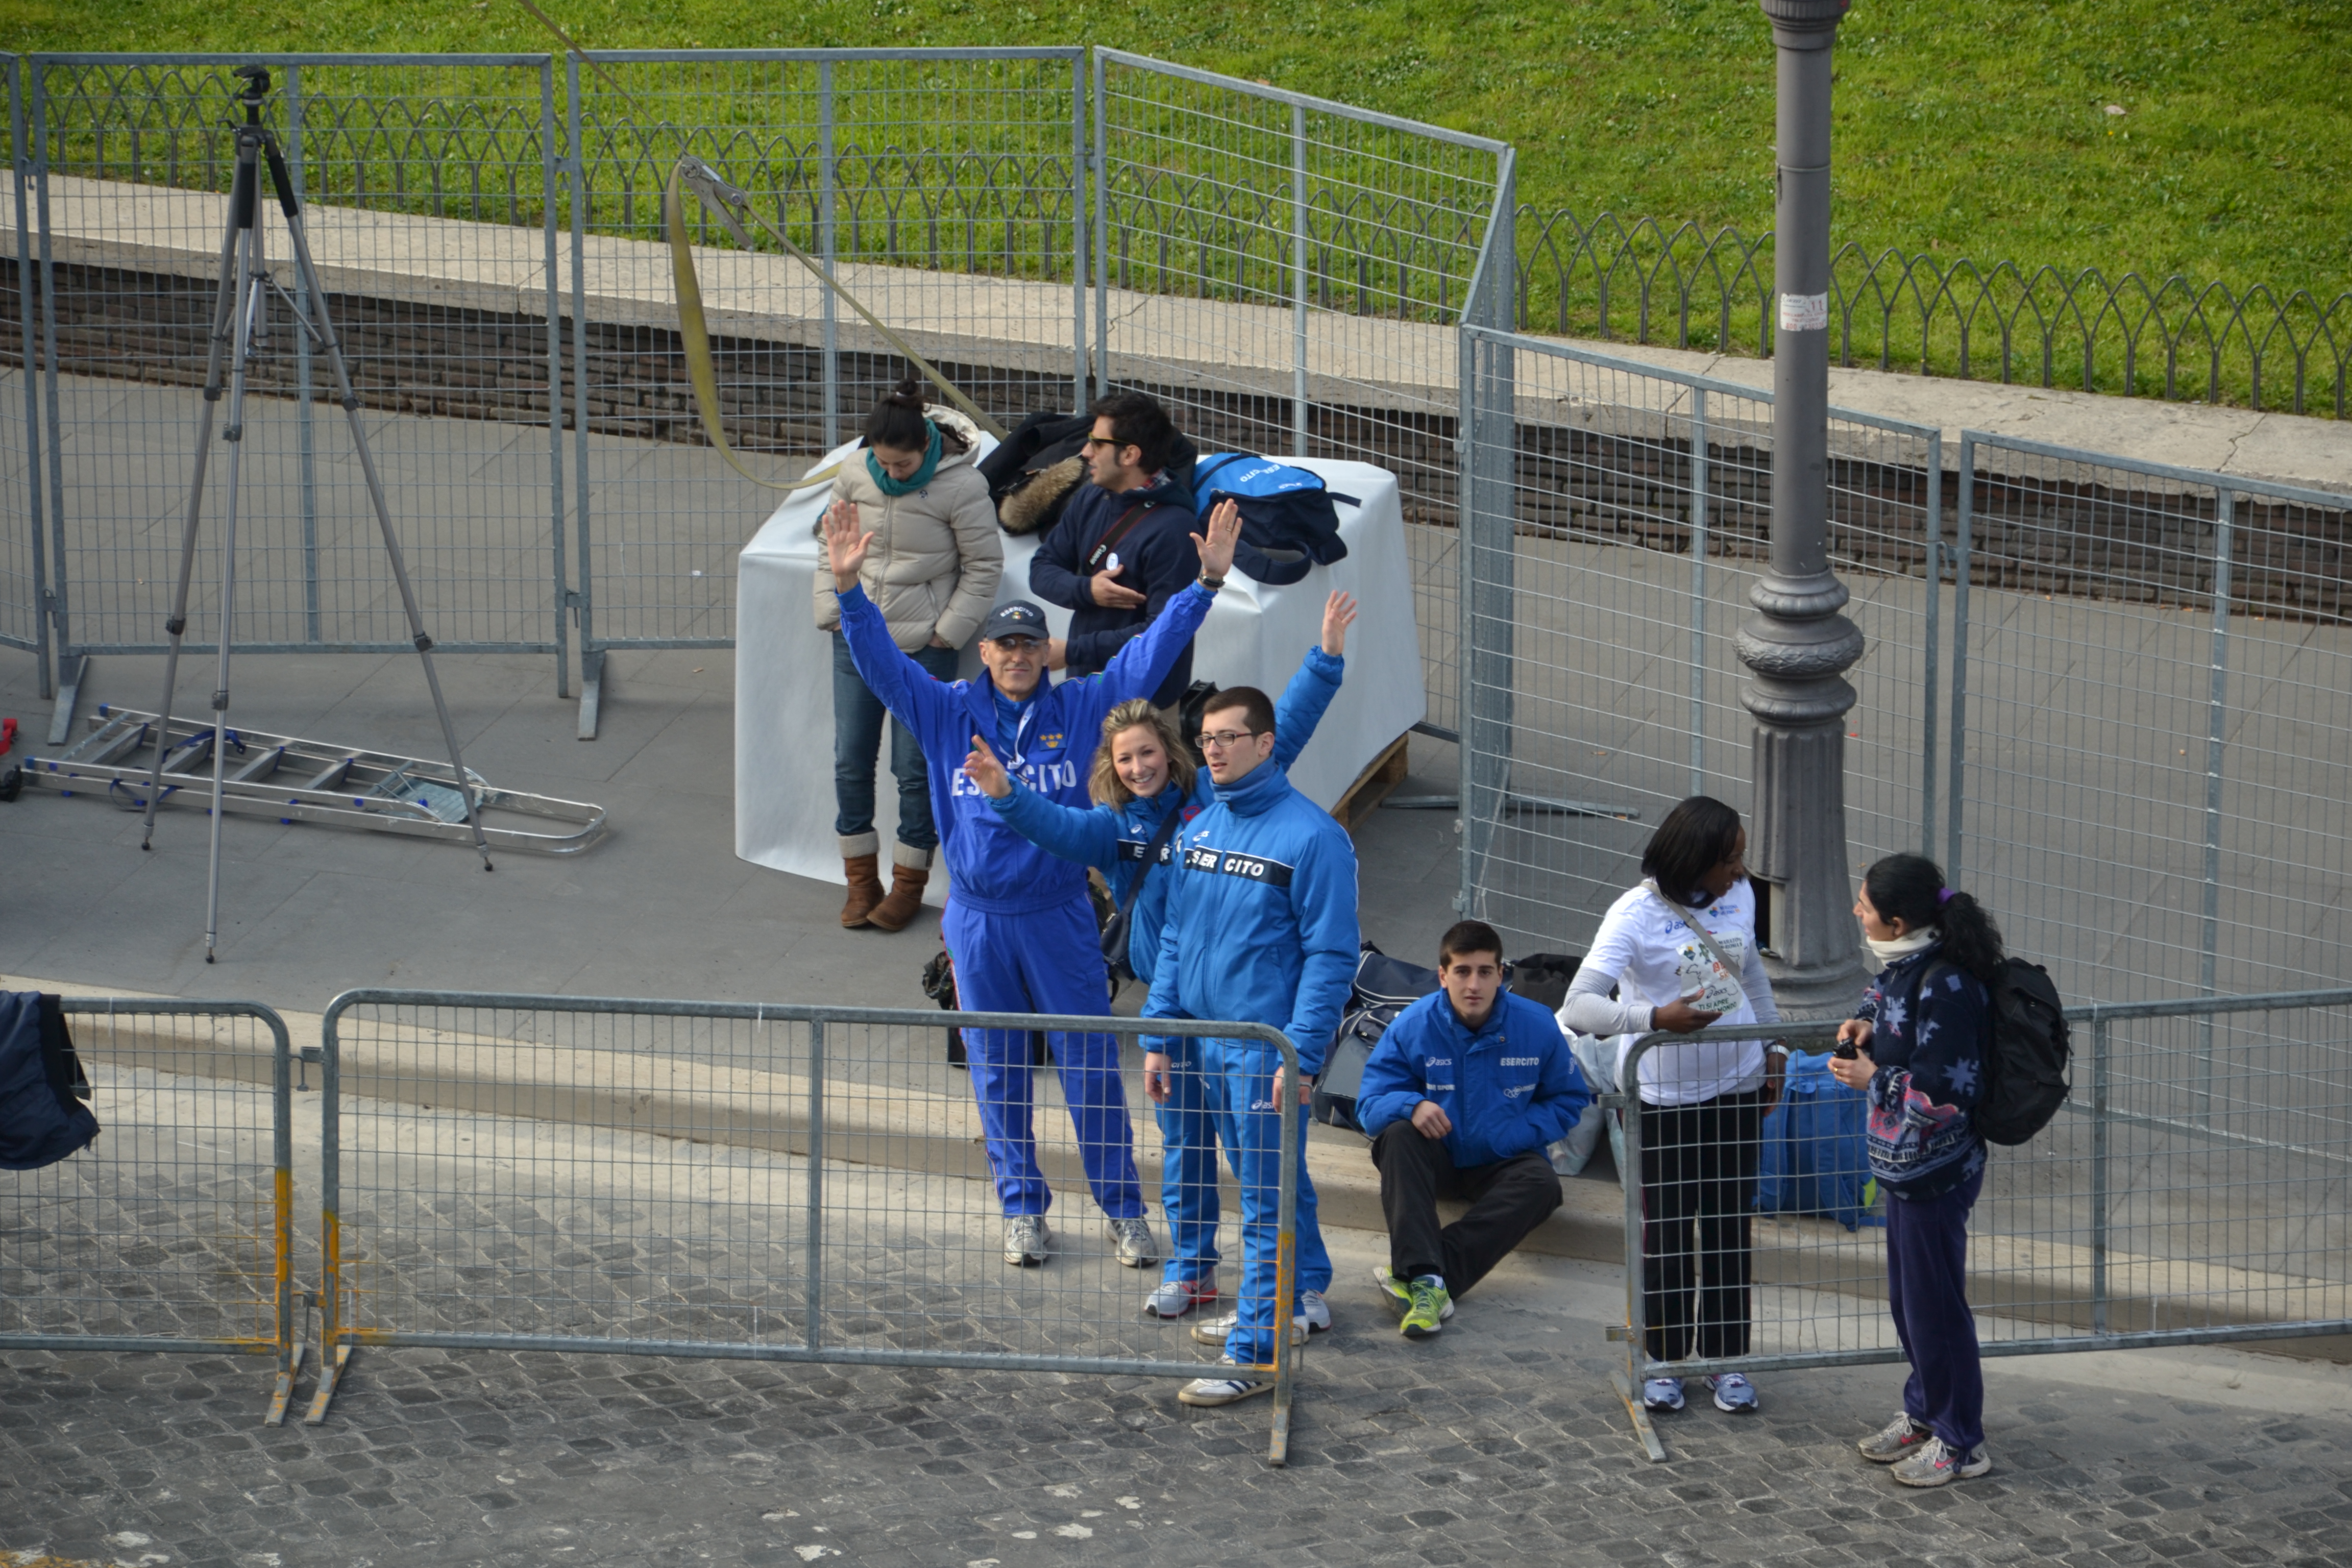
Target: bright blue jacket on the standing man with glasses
(1262,916)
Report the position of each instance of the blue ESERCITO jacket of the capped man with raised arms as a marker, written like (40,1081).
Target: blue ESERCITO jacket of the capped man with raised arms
(991,866)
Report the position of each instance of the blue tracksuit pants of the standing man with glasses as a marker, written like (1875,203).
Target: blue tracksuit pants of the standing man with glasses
(1243,1080)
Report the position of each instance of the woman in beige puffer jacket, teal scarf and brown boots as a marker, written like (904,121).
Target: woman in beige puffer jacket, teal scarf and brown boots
(935,572)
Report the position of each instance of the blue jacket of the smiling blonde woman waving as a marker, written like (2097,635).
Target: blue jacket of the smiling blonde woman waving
(1114,838)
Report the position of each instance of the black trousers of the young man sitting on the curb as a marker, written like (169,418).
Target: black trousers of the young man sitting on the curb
(1506,1200)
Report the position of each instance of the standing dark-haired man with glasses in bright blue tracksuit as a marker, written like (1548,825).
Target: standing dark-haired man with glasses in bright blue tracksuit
(1259,930)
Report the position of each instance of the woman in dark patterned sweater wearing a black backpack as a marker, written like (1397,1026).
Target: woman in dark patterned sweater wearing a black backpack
(1920,1052)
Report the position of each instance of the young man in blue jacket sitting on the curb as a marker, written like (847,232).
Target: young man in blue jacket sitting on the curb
(1462,1099)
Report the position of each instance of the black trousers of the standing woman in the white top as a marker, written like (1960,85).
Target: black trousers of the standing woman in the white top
(1699,1177)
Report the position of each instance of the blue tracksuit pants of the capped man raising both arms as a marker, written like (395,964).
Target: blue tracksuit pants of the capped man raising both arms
(1043,963)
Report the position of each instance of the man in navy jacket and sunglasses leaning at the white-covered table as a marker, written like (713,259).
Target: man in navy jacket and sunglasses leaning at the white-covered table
(1123,544)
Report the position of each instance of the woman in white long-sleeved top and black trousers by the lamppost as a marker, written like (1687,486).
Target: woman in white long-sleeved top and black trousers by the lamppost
(1683,953)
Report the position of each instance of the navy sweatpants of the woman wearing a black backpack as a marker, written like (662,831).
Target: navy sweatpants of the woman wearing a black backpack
(1927,1273)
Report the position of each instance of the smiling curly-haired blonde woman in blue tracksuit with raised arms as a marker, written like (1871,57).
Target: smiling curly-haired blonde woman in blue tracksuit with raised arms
(1147,786)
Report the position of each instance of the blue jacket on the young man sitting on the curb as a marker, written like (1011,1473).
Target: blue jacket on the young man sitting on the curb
(1511,1087)
